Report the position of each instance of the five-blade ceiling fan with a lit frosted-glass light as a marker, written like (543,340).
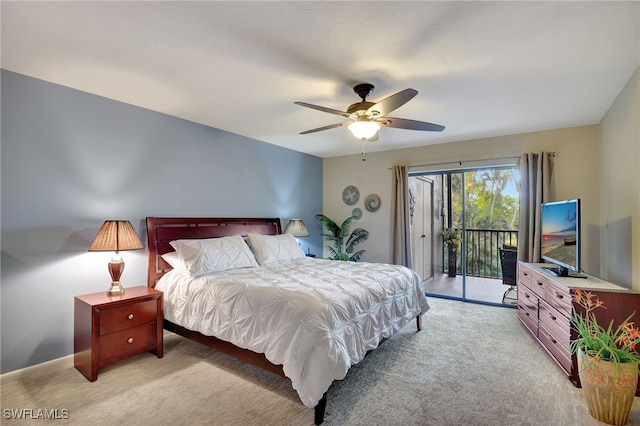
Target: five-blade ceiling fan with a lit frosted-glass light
(366,118)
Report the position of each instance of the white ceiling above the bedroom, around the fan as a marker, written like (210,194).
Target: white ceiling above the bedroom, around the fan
(481,68)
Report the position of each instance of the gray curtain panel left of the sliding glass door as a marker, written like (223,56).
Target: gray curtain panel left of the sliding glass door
(400,218)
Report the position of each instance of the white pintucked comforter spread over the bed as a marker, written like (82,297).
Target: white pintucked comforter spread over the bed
(315,317)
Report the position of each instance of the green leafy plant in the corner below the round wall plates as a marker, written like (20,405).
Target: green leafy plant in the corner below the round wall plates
(342,243)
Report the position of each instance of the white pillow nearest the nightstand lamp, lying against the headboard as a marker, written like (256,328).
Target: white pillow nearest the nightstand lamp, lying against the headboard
(214,254)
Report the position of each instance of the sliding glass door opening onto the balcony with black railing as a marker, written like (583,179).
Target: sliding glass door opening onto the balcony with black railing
(480,208)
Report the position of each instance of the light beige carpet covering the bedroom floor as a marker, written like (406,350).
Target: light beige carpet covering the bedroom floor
(470,365)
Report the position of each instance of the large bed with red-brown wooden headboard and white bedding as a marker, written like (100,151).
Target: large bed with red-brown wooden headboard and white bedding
(303,318)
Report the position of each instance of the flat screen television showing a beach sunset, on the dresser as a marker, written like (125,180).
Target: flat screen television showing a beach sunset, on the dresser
(561,236)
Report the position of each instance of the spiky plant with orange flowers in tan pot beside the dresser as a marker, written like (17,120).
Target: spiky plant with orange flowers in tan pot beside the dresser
(607,360)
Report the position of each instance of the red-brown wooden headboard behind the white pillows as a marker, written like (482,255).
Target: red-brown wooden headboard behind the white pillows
(162,230)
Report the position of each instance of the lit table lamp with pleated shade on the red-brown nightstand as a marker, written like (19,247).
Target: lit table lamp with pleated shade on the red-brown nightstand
(116,235)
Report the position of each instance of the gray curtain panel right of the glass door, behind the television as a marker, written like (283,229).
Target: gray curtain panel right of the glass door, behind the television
(535,171)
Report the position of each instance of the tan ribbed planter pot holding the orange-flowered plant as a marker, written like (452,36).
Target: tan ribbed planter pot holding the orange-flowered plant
(609,391)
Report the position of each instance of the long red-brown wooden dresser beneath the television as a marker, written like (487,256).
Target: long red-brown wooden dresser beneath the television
(545,307)
